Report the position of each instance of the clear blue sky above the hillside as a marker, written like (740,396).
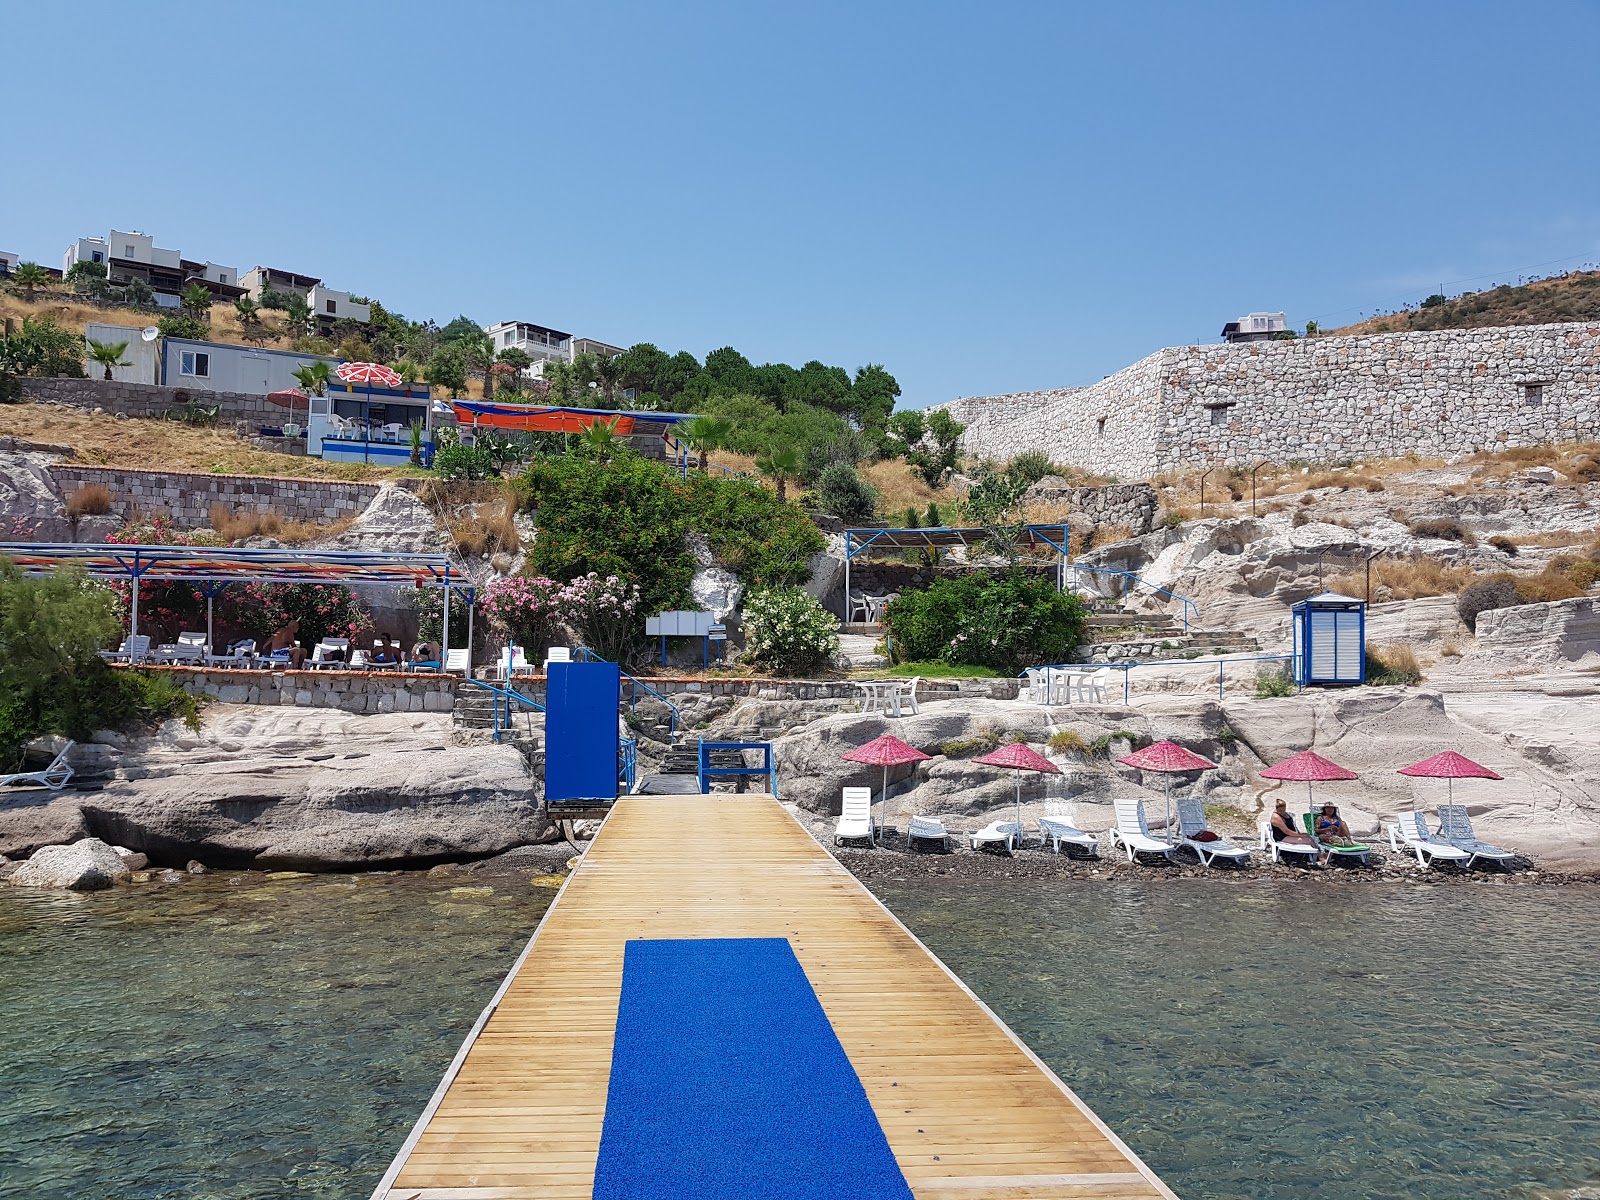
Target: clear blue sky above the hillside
(982,198)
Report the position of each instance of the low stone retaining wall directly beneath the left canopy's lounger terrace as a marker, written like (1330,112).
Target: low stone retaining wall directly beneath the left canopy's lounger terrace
(348,690)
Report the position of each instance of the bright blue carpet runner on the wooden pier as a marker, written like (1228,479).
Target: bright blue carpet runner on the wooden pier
(727,1081)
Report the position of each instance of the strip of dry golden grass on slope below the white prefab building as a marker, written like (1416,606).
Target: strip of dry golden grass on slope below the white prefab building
(167,446)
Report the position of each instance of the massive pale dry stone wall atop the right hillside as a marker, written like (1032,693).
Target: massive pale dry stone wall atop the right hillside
(1434,393)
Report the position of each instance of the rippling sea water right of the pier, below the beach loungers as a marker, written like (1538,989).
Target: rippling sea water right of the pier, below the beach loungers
(1303,1041)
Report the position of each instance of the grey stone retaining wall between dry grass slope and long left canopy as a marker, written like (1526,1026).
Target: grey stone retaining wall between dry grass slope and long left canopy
(188,498)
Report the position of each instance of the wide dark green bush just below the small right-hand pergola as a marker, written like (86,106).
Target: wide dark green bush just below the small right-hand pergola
(1002,622)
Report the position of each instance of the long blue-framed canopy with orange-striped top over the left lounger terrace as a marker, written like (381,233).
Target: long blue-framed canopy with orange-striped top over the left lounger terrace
(212,569)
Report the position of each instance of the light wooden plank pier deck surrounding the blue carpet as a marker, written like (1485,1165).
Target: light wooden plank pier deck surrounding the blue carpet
(967,1110)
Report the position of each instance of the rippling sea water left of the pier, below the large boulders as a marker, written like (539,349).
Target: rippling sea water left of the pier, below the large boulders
(231,1039)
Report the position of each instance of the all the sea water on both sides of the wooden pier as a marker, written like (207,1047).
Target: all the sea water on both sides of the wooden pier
(242,1036)
